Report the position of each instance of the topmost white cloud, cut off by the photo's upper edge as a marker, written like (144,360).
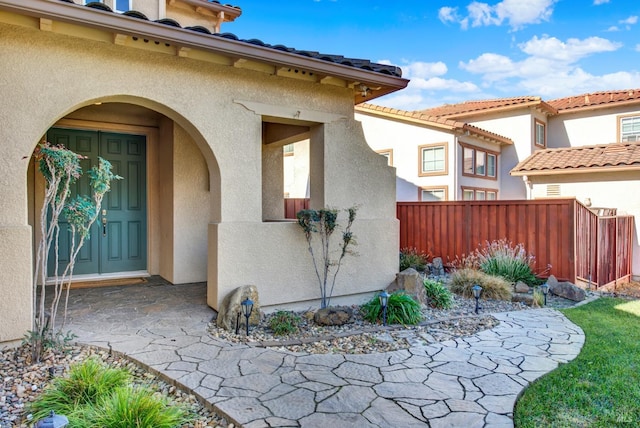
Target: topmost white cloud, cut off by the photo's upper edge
(516,13)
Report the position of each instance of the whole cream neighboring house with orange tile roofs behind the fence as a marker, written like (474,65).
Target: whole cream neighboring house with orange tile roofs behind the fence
(584,146)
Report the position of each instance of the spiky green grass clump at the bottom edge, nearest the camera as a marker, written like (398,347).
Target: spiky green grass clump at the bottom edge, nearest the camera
(138,407)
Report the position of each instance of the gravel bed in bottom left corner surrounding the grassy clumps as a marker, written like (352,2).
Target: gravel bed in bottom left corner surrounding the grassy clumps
(23,381)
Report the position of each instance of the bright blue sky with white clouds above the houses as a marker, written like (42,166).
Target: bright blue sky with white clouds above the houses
(457,50)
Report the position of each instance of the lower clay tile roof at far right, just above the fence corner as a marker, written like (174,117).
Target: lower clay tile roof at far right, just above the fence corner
(581,159)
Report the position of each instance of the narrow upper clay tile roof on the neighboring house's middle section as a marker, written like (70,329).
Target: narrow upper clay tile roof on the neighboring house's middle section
(470,108)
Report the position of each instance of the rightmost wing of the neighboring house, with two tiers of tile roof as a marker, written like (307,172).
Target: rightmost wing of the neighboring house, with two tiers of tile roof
(593,155)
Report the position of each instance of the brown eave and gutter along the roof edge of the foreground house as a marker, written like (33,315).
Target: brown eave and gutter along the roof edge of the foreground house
(120,24)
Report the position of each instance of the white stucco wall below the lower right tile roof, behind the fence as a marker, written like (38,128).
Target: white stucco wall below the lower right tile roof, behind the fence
(606,190)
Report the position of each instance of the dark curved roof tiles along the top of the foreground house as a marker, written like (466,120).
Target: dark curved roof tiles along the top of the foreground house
(363,64)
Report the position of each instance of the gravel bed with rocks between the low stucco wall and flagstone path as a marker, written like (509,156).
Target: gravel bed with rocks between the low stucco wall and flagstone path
(362,337)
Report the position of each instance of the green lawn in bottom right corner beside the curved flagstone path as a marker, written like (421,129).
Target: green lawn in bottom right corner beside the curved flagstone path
(601,387)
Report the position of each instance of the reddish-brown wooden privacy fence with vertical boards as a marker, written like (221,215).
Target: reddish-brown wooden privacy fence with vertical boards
(562,233)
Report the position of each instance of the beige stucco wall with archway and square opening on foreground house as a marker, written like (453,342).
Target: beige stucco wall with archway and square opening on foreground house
(51,76)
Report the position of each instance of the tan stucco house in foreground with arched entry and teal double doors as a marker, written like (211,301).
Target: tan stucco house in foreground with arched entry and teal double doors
(196,123)
